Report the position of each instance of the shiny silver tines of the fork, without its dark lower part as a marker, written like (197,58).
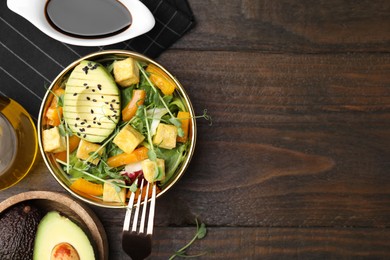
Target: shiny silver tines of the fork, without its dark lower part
(139,226)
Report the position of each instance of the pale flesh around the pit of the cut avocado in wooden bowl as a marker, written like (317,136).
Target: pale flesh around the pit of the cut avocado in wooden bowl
(55,231)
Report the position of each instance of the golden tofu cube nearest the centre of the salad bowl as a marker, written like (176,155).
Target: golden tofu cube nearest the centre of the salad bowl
(128,139)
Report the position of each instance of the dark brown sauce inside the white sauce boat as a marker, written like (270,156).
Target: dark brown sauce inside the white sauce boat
(88,18)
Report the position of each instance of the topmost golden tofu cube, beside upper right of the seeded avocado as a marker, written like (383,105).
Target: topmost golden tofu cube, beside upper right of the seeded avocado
(126,72)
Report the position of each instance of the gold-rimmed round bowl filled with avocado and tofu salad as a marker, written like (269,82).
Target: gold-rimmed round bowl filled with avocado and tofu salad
(112,118)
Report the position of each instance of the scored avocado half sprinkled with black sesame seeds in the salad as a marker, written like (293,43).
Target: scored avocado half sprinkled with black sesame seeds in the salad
(91,102)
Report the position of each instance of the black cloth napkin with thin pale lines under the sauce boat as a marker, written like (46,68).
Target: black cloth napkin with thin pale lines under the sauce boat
(30,60)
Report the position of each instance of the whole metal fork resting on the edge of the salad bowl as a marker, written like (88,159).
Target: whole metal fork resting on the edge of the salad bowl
(135,242)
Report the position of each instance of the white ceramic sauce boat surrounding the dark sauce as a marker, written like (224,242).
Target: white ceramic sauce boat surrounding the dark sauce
(34,11)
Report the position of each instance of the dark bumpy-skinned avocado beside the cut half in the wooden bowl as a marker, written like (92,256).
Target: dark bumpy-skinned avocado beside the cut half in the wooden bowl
(18,226)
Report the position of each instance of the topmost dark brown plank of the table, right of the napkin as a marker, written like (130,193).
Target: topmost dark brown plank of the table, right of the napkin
(290,26)
